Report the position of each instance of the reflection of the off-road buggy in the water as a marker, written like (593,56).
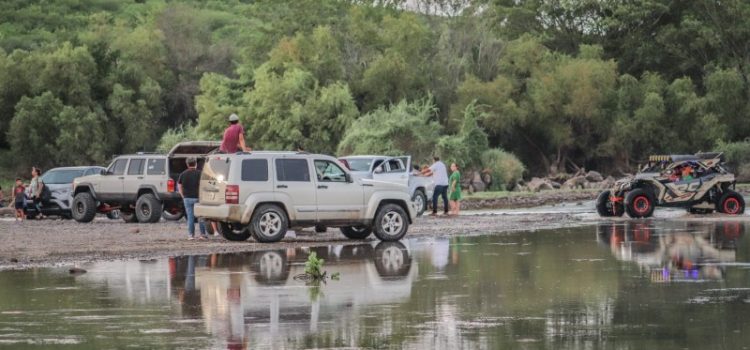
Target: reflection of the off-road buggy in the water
(679,252)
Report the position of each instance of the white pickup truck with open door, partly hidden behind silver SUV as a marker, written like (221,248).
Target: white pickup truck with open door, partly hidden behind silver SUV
(393,169)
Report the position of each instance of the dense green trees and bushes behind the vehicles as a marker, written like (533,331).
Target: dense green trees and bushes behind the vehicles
(560,84)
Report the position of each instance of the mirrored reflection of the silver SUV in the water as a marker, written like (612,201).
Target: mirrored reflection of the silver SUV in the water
(252,299)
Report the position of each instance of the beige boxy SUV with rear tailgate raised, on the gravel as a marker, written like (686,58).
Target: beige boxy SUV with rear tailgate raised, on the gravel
(142,186)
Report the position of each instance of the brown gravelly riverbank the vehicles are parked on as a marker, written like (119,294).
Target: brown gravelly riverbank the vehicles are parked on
(56,242)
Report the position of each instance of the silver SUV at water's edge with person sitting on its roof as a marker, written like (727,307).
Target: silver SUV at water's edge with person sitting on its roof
(265,193)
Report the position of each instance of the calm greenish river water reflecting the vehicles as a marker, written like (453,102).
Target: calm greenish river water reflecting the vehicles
(619,285)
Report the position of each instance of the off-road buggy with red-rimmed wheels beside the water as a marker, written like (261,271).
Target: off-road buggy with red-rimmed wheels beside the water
(697,182)
